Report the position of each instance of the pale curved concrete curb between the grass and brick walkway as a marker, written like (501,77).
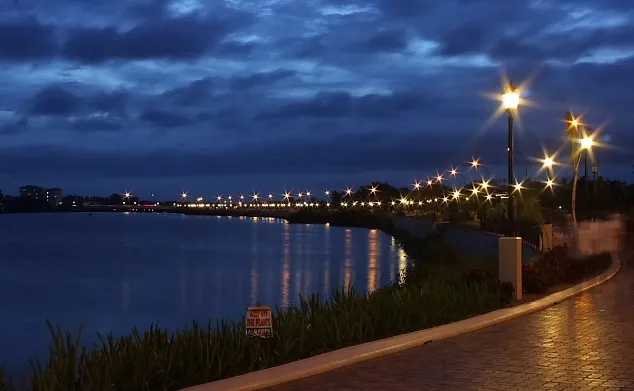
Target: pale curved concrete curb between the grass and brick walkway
(354,354)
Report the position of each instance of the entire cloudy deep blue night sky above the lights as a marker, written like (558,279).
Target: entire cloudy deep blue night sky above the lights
(212,96)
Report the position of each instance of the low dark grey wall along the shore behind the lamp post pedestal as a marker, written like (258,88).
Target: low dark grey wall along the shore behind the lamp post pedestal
(464,239)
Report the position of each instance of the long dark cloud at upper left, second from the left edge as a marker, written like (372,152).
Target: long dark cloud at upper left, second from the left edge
(181,38)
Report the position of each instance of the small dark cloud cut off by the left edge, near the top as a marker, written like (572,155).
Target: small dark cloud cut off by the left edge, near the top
(26,39)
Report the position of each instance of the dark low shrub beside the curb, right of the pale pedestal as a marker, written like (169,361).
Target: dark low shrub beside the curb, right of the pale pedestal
(558,266)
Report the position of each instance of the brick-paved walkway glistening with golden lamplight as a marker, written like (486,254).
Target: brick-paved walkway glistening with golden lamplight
(584,343)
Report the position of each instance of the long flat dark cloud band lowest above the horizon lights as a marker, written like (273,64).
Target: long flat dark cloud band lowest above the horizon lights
(380,150)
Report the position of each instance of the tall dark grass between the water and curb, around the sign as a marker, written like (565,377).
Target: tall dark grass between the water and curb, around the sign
(160,360)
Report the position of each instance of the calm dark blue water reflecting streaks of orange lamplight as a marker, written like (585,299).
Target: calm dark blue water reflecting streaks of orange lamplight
(111,272)
